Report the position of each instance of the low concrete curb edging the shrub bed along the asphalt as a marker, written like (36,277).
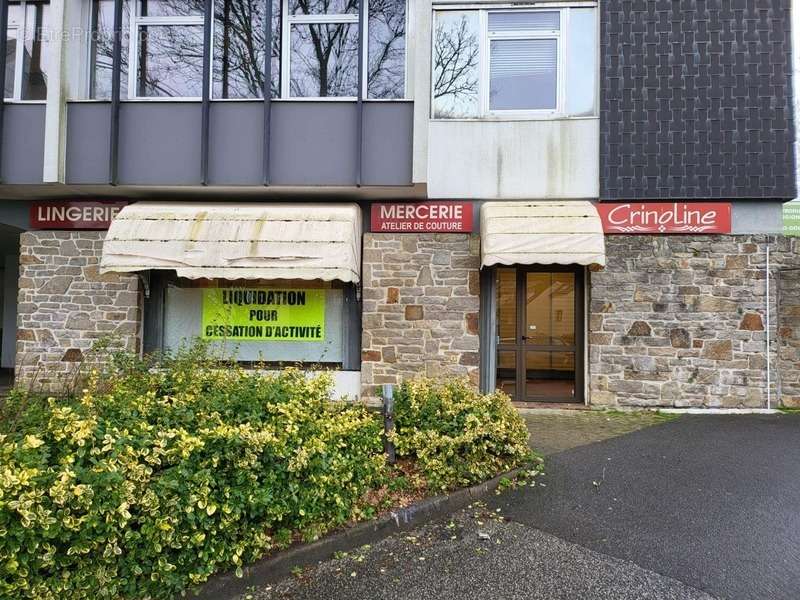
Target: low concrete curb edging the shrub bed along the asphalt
(272,569)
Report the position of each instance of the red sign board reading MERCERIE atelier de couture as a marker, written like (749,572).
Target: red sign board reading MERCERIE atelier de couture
(422,217)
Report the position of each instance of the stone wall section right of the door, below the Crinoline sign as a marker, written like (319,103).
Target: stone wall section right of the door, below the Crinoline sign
(680,321)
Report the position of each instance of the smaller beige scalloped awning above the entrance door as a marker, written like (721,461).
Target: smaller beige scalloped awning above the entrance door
(543,232)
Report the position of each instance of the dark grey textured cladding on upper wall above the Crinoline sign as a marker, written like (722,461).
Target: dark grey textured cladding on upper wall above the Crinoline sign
(695,100)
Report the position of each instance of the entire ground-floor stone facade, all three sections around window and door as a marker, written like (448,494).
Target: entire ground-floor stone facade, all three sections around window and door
(673,321)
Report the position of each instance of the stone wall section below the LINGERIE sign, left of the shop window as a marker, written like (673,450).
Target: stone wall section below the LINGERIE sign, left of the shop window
(66,305)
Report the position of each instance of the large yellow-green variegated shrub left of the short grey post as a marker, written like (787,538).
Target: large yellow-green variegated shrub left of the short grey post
(153,479)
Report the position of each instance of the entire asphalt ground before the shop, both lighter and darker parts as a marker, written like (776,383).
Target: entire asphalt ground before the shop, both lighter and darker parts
(699,507)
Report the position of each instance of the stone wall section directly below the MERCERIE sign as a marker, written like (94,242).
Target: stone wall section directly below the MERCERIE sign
(421,304)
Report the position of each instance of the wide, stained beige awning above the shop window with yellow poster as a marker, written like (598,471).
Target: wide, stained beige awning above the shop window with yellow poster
(237,241)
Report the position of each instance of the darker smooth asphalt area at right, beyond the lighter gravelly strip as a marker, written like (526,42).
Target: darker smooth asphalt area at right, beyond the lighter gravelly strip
(712,501)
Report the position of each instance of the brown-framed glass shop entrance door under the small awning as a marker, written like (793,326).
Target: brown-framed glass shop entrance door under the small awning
(540,333)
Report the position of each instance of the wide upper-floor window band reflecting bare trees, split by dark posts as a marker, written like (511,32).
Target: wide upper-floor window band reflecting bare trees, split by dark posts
(314,53)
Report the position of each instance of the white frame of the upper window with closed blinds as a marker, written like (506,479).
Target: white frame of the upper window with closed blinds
(485,39)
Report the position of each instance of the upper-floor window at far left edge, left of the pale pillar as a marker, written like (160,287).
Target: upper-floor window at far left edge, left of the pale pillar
(27,50)
